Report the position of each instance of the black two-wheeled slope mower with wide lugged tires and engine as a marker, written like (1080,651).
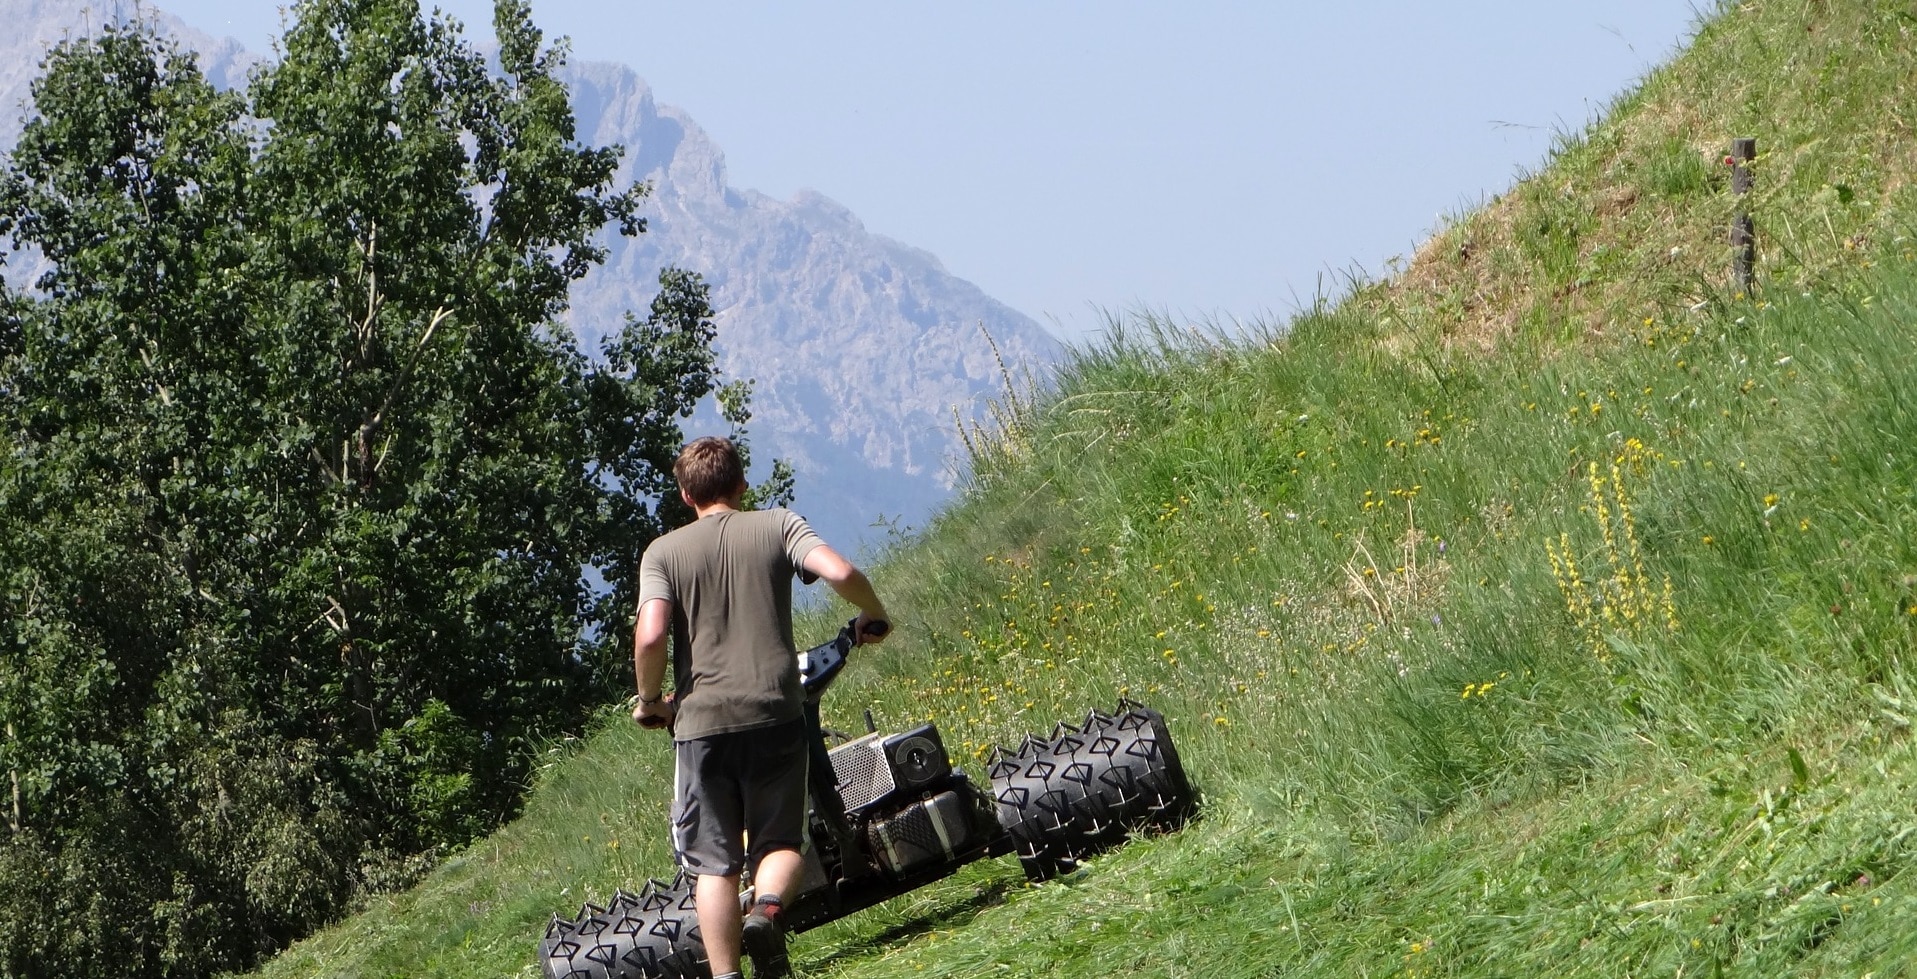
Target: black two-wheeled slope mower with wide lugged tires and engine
(890,813)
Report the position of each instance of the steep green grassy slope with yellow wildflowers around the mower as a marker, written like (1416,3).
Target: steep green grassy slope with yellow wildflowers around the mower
(1339,564)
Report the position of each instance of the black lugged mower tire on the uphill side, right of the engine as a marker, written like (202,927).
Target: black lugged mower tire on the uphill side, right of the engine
(1088,788)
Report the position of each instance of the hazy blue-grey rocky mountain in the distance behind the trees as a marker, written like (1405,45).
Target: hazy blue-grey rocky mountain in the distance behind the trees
(860,348)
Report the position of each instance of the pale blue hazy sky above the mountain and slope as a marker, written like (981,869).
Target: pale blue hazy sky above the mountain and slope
(1213,160)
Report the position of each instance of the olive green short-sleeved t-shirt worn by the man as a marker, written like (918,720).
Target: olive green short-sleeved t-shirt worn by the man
(729,580)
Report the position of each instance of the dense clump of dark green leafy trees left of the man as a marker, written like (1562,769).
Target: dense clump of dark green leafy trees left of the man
(304,476)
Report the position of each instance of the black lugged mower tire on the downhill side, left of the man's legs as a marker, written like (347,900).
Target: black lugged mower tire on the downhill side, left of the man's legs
(647,936)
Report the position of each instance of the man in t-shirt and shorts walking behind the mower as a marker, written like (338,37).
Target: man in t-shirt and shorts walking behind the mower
(722,587)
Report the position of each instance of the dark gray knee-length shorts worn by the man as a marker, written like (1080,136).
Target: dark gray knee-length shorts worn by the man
(739,788)
